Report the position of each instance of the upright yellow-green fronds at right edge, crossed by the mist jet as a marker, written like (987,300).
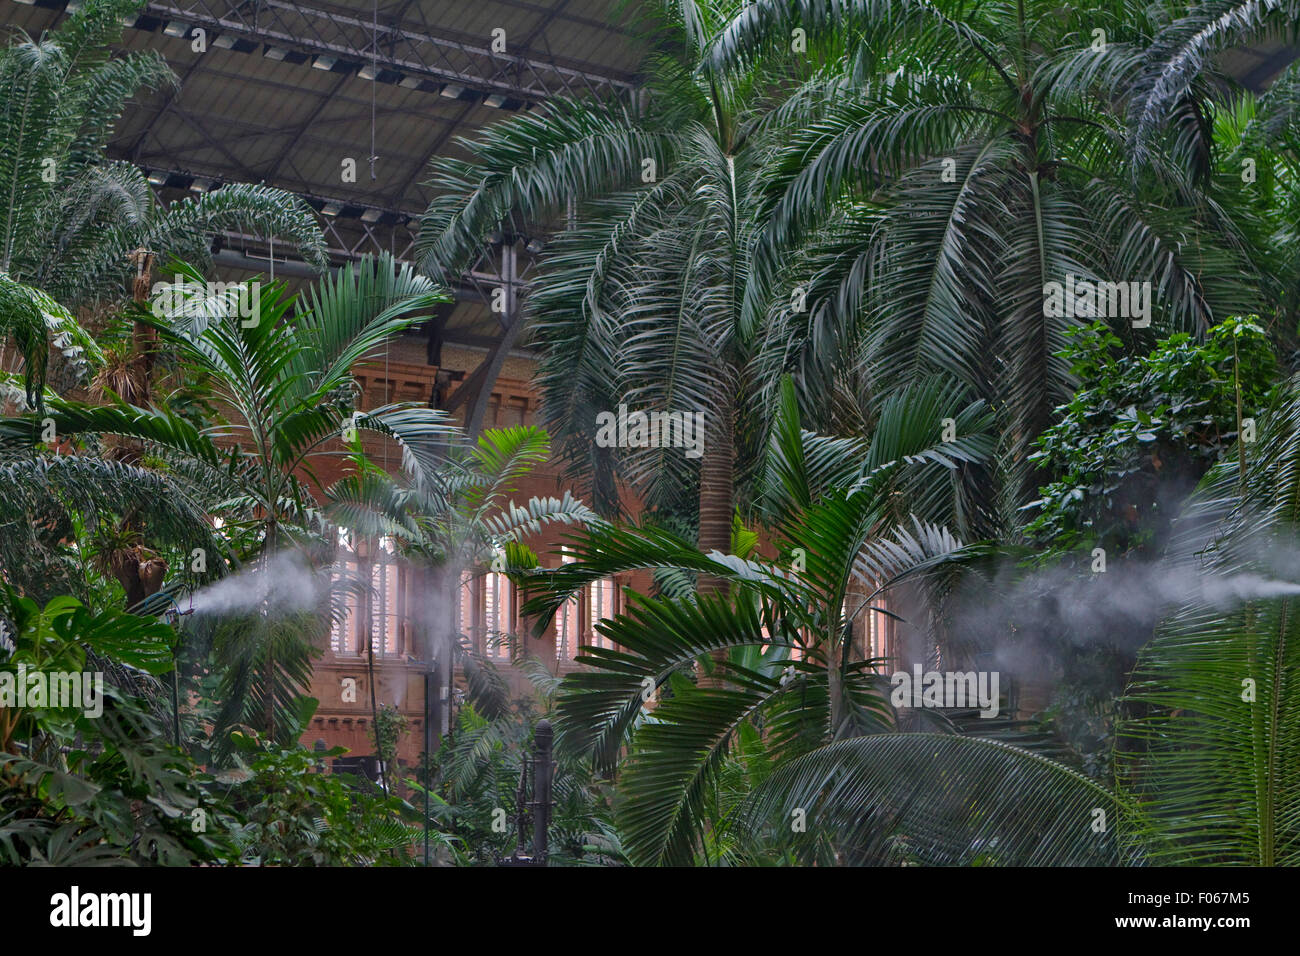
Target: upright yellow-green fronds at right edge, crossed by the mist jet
(1210,746)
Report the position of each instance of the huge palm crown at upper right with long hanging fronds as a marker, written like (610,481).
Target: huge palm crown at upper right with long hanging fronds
(967,159)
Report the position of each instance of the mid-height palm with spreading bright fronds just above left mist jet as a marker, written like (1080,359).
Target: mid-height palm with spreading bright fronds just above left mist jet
(280,369)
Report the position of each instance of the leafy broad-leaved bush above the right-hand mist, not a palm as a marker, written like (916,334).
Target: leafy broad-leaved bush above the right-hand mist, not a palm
(1143,431)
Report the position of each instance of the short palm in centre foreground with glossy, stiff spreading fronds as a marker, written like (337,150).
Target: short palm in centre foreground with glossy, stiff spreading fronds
(783,633)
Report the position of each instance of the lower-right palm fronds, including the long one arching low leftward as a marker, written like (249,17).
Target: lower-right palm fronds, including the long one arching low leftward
(1207,750)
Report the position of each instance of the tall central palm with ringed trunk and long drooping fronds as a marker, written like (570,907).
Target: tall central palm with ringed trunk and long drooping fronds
(651,297)
